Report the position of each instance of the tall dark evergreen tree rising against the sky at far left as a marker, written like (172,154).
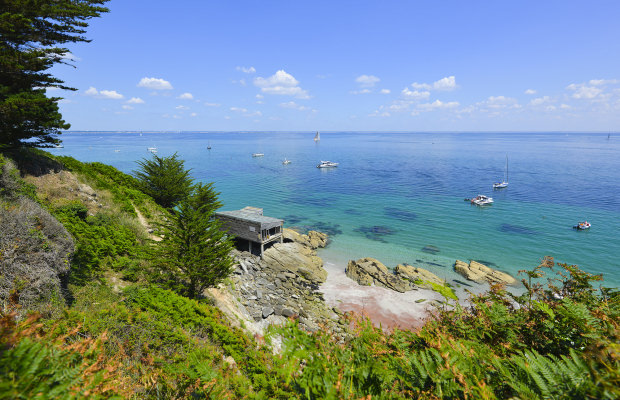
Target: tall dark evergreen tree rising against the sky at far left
(31,33)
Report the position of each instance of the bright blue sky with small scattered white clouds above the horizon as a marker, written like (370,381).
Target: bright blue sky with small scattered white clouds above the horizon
(348,65)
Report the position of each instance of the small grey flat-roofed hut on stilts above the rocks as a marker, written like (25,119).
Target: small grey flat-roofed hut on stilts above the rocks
(251,226)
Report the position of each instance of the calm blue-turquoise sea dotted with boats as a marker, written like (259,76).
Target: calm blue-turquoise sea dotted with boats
(396,193)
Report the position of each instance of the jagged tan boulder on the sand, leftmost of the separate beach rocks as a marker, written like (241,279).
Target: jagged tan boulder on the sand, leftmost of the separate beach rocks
(368,271)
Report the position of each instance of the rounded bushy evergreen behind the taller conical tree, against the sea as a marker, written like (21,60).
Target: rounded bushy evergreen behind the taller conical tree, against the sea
(165,179)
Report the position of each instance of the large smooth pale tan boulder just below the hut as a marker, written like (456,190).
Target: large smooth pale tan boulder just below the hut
(295,258)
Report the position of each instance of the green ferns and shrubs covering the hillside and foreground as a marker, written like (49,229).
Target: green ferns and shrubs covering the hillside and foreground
(556,340)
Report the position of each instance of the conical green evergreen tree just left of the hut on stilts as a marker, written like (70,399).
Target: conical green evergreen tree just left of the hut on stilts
(195,252)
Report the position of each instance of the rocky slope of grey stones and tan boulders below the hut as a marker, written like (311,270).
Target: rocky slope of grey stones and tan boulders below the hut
(283,285)
